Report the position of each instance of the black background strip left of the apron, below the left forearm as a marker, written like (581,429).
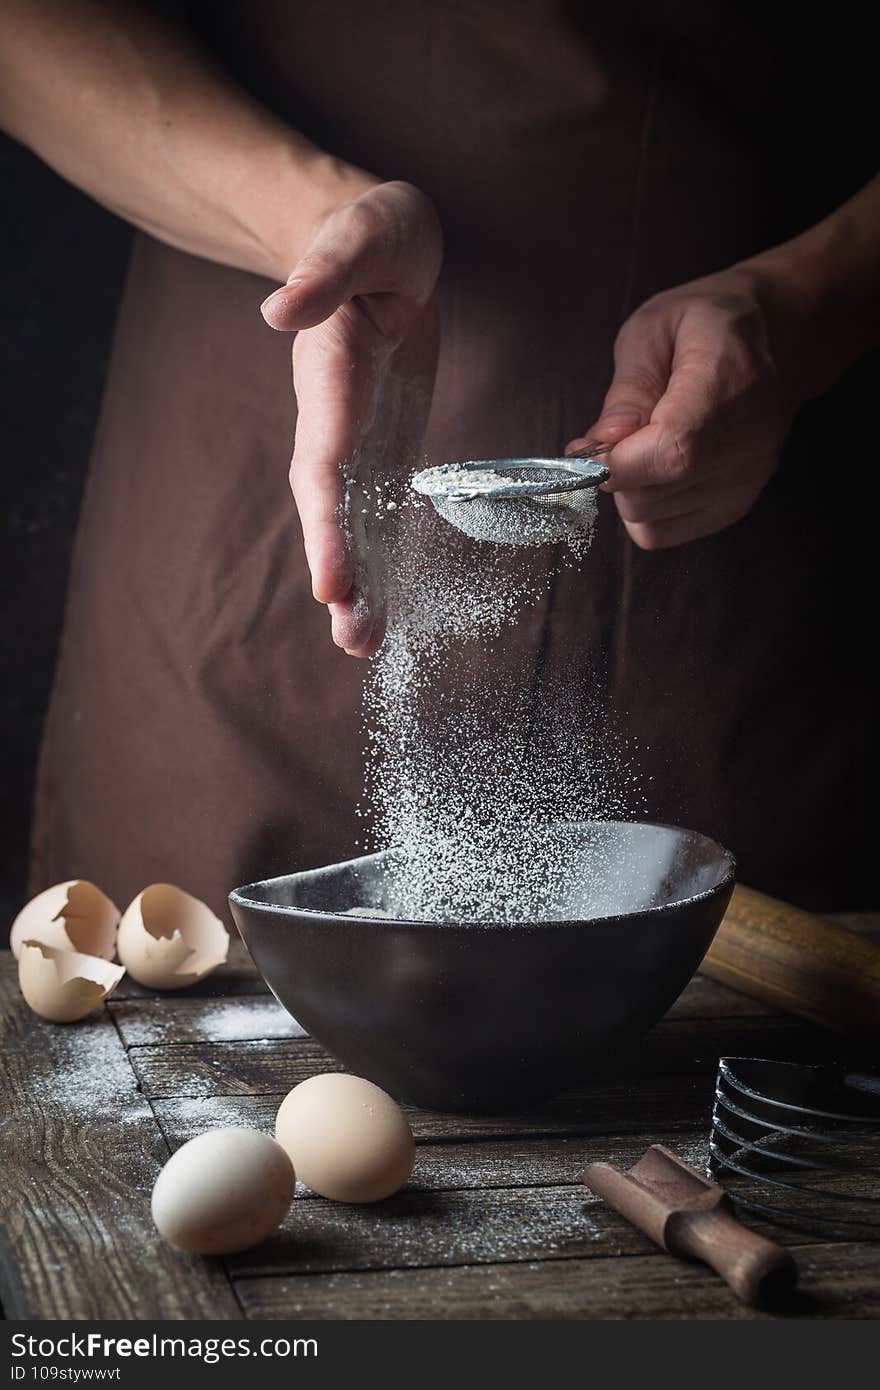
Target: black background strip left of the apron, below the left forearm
(63,268)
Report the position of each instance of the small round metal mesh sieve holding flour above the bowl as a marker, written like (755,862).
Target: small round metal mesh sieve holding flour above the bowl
(518,501)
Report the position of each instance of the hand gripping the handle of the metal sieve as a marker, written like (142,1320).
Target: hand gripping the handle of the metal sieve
(699,409)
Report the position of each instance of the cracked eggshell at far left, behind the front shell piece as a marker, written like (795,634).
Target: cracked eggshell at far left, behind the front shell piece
(72,917)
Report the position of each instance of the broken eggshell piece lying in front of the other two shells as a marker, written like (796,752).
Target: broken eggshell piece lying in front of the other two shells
(65,986)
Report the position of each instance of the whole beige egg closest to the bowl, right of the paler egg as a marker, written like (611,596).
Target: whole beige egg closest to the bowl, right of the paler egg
(347,1139)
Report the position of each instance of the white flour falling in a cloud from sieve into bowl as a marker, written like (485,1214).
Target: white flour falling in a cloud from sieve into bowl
(473,749)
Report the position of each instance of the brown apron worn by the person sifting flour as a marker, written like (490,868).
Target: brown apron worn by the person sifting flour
(202,728)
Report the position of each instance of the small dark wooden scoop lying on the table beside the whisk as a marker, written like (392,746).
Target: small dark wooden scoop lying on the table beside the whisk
(693,1218)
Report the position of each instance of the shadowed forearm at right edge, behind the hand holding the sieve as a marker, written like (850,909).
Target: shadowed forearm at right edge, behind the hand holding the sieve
(826,286)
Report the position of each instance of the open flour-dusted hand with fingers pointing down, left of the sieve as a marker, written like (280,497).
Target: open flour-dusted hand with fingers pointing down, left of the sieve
(364,372)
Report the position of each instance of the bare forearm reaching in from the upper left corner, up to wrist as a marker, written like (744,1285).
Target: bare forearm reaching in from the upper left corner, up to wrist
(134,113)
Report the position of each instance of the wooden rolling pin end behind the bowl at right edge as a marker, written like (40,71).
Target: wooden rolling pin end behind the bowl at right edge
(797,963)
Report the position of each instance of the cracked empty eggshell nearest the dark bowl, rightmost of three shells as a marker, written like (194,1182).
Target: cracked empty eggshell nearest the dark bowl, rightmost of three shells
(169,939)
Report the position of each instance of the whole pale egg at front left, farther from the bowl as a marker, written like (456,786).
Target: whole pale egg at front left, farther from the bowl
(223,1192)
